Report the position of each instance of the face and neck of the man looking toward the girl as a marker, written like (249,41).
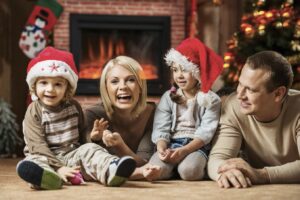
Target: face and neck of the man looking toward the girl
(252,94)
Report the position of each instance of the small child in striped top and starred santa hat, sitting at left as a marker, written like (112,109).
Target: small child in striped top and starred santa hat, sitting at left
(54,129)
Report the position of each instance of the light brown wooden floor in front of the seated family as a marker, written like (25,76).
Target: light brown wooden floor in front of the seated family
(12,187)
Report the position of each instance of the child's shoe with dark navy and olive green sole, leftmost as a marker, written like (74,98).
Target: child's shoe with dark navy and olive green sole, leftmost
(37,176)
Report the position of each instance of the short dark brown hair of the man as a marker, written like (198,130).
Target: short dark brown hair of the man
(281,73)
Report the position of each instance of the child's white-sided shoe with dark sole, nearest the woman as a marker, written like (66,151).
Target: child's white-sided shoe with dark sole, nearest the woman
(120,170)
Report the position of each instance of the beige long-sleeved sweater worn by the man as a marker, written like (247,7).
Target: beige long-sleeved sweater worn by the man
(274,145)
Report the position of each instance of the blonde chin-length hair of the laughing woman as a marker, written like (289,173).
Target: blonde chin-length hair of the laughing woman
(135,68)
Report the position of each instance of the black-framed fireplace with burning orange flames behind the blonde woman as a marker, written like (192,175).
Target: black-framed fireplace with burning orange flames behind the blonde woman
(94,39)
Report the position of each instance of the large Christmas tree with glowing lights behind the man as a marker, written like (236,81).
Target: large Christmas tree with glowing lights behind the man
(265,25)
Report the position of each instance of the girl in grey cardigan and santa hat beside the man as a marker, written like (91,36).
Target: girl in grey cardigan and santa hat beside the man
(186,118)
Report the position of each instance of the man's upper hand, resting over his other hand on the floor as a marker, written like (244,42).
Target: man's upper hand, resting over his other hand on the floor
(256,176)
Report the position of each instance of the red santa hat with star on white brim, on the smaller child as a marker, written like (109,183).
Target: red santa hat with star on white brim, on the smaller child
(52,62)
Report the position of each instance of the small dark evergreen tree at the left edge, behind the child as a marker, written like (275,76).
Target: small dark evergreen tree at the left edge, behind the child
(9,138)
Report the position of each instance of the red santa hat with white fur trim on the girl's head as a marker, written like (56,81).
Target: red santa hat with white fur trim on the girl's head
(197,58)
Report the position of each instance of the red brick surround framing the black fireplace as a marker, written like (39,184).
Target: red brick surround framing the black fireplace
(173,8)
